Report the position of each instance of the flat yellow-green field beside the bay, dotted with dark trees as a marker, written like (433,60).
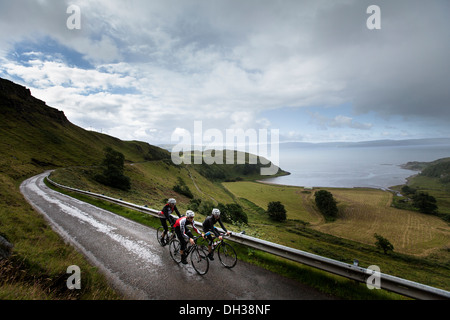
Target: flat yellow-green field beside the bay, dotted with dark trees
(362,213)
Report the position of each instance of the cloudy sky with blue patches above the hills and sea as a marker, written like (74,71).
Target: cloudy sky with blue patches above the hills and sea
(142,70)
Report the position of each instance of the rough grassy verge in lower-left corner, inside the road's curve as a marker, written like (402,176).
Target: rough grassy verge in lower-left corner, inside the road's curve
(37,268)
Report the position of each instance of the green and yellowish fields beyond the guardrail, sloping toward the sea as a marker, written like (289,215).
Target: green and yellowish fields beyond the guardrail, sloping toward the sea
(420,241)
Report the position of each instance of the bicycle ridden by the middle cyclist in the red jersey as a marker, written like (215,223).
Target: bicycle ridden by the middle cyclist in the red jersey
(199,259)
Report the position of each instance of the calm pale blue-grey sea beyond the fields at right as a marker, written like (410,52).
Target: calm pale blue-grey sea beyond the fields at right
(370,165)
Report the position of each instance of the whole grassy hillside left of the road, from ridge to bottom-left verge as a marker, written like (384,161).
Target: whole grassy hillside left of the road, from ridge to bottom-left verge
(35,138)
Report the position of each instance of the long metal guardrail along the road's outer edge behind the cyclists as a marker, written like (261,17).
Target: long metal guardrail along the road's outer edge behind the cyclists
(398,285)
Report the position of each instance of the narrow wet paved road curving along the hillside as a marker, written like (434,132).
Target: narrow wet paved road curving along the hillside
(129,255)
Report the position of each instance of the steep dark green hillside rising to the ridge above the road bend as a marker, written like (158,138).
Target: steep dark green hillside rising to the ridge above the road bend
(36,136)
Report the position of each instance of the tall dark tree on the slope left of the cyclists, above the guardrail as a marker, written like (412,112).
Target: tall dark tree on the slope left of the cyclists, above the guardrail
(112,175)
